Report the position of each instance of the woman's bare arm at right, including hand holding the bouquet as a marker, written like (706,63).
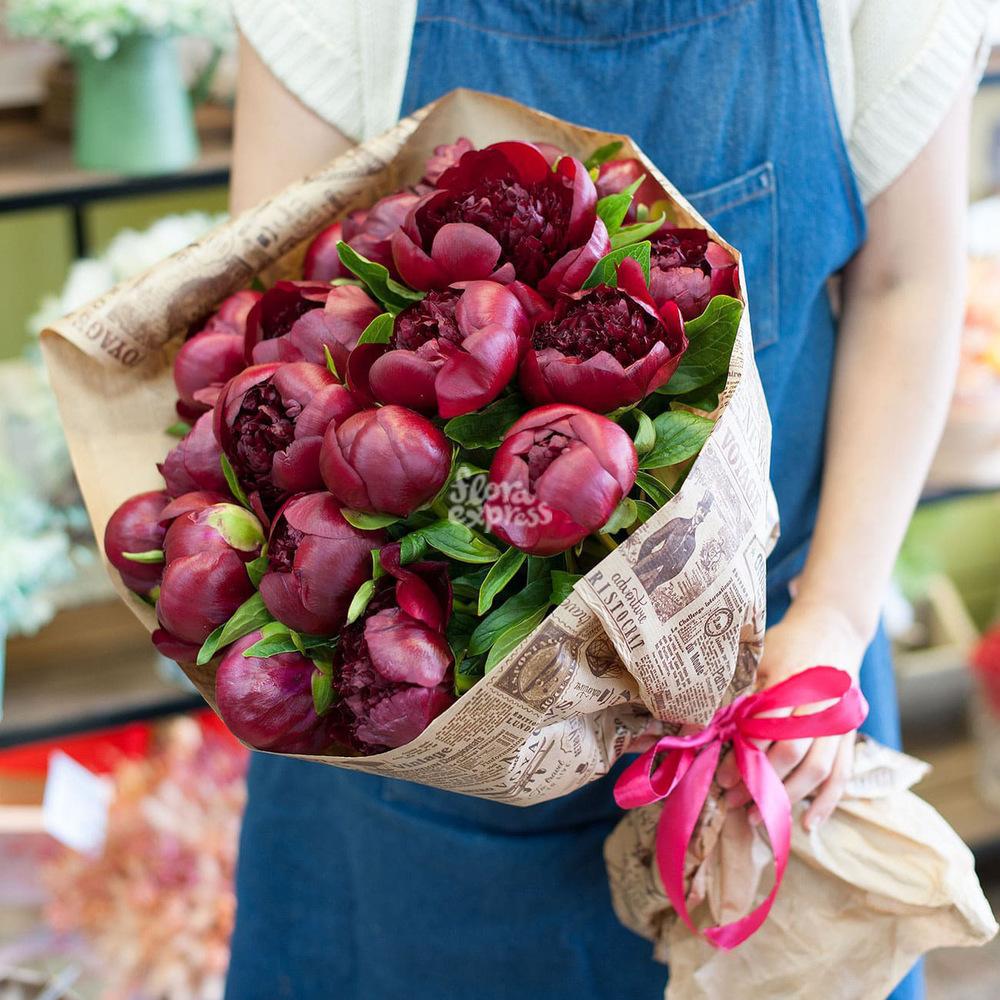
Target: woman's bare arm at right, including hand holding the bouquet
(897,353)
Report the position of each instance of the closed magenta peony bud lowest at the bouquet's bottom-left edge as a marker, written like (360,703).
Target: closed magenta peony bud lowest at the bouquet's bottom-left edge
(267,702)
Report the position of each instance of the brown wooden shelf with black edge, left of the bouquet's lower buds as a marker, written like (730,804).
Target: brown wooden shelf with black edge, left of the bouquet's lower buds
(91,668)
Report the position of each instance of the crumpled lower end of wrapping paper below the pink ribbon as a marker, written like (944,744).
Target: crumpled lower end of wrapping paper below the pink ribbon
(884,880)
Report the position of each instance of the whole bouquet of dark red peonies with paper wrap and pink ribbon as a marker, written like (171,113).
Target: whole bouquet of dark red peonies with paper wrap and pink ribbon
(472,490)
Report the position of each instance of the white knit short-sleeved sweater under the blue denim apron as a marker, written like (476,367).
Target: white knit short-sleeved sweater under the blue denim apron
(895,66)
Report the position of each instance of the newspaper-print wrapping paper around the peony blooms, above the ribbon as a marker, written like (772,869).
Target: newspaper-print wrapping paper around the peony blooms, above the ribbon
(667,628)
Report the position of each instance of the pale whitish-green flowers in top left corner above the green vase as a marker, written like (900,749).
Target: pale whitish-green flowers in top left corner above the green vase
(100,24)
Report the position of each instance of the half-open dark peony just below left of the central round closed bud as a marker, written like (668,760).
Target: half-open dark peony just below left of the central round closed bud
(315,563)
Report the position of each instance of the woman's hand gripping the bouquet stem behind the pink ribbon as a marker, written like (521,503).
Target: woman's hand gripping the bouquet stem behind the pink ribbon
(809,635)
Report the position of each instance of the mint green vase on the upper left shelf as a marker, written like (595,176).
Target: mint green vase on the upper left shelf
(133,112)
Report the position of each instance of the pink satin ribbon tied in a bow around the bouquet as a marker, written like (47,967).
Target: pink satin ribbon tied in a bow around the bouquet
(682,778)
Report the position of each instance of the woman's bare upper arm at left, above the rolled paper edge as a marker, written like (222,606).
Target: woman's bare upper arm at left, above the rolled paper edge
(277,139)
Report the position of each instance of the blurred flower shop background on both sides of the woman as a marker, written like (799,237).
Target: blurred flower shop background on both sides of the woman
(120,797)
